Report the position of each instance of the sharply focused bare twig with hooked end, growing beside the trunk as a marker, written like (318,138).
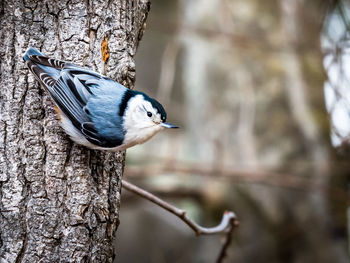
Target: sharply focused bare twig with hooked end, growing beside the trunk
(227,224)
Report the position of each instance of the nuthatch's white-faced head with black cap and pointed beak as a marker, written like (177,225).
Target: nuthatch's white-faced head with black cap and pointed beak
(143,118)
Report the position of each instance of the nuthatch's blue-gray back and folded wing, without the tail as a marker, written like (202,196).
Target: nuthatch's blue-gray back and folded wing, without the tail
(89,100)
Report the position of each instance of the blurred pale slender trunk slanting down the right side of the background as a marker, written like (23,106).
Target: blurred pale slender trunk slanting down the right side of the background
(296,86)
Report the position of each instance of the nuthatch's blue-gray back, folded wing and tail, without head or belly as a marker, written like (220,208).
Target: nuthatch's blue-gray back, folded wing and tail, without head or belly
(89,100)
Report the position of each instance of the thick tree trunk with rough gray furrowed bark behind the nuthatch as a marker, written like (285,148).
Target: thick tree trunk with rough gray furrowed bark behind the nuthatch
(59,202)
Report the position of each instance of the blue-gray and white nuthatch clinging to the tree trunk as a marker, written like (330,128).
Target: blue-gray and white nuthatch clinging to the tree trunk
(94,110)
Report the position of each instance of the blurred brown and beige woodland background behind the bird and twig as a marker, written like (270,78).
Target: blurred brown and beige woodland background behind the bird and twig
(262,94)
